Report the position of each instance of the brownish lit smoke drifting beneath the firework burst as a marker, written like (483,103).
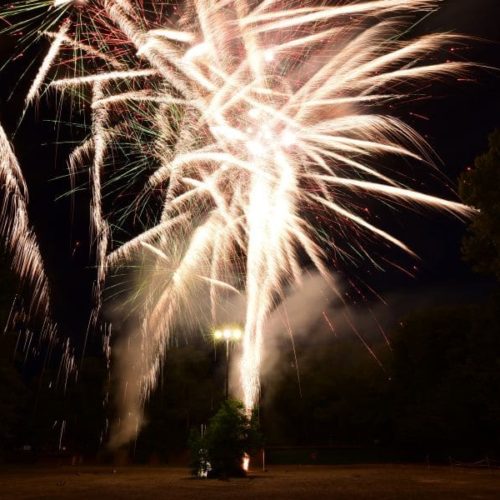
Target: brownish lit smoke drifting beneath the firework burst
(310,312)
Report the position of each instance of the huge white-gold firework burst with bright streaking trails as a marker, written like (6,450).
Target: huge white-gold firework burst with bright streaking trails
(252,118)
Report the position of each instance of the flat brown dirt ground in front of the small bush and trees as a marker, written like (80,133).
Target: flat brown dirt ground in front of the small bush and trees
(387,482)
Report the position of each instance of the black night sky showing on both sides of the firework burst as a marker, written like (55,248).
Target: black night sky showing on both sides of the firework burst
(459,118)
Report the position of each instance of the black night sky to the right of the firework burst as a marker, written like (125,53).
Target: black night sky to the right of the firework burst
(461,115)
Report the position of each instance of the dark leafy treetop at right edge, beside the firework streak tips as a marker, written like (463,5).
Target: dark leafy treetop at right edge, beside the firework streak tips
(480,187)
